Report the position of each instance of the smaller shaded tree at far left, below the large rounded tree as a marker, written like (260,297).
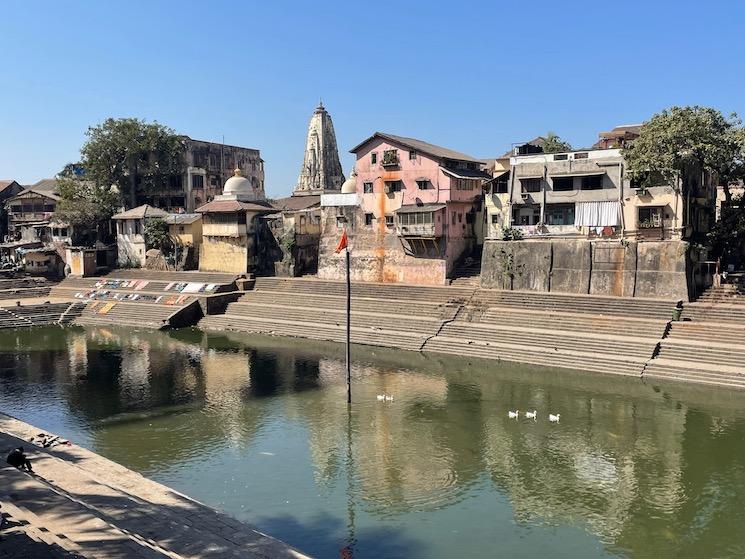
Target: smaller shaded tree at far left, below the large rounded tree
(85,206)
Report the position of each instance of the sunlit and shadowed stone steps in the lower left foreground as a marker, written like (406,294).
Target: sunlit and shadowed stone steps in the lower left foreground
(78,504)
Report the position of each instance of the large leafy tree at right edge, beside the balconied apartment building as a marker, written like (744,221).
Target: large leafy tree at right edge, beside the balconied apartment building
(681,138)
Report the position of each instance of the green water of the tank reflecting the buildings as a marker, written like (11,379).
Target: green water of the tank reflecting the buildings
(259,427)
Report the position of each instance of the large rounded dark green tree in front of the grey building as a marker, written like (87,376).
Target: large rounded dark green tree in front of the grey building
(132,155)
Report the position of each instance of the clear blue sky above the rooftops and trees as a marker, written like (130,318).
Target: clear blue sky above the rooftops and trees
(472,76)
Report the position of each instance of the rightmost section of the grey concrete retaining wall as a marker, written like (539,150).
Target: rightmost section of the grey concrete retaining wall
(661,270)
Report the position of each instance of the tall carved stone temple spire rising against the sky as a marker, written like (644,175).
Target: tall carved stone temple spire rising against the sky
(321,171)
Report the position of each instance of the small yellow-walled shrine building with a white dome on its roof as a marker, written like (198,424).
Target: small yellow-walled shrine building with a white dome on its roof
(230,225)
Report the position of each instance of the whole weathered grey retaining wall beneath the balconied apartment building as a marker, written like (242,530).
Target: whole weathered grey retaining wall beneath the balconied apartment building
(631,269)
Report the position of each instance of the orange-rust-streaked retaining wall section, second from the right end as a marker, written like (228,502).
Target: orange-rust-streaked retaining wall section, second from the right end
(613,268)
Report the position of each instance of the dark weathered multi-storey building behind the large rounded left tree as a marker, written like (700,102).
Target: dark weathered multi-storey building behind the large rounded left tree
(207,165)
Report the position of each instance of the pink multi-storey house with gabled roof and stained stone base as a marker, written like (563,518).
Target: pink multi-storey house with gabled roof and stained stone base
(417,209)
